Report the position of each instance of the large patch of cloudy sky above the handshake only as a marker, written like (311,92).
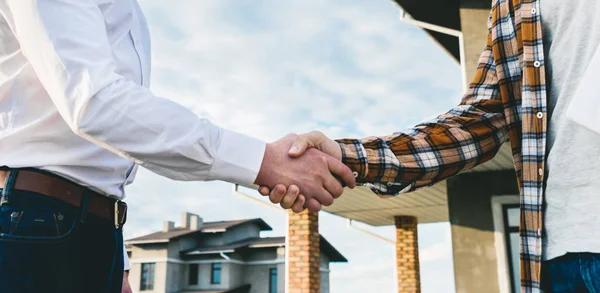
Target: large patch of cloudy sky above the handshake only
(347,64)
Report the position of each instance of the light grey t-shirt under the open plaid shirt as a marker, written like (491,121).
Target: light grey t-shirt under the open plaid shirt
(572,219)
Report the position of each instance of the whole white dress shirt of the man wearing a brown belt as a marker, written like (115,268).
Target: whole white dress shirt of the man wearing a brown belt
(74,101)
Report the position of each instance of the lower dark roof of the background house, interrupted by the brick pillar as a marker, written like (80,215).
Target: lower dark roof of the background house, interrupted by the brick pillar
(333,254)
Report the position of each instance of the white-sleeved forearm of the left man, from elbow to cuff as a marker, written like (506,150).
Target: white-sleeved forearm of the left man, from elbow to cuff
(166,137)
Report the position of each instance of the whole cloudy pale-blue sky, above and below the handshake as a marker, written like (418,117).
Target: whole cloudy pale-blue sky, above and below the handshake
(349,68)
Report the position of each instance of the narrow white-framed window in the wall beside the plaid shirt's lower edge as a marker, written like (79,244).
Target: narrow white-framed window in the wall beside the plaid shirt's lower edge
(512,215)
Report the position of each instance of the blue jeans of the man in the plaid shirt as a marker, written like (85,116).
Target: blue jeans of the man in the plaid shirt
(573,272)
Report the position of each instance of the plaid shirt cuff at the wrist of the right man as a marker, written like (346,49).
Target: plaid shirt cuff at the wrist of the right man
(355,157)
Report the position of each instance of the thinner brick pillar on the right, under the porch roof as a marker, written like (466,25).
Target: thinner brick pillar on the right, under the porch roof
(407,254)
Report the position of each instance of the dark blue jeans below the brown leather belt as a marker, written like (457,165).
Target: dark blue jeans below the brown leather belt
(50,246)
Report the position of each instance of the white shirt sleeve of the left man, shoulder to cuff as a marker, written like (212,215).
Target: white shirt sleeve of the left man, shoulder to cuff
(67,46)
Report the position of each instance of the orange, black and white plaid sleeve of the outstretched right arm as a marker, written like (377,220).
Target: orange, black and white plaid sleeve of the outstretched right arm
(460,139)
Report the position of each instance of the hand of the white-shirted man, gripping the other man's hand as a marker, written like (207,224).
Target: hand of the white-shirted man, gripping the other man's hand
(312,173)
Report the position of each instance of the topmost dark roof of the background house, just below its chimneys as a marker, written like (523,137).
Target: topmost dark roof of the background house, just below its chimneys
(208,227)
